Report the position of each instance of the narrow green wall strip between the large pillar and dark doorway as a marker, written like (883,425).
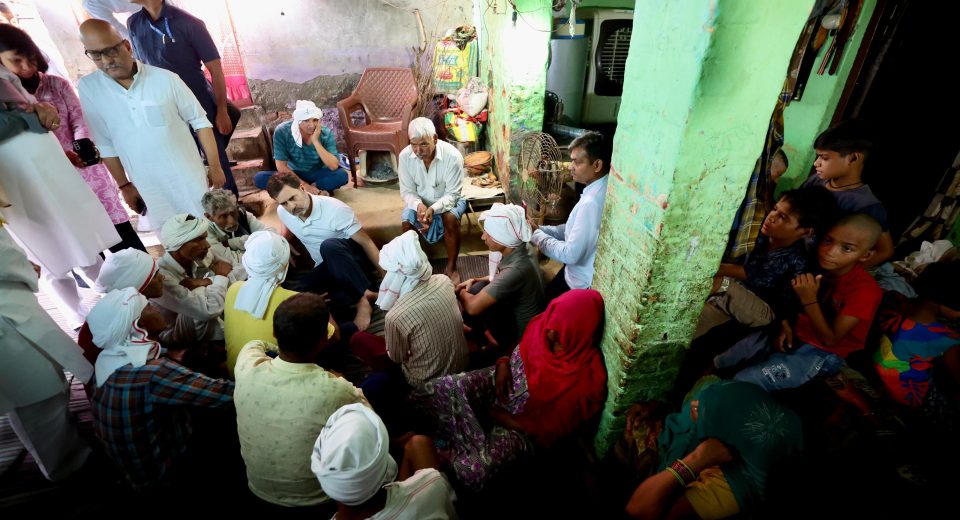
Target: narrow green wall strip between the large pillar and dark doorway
(803,120)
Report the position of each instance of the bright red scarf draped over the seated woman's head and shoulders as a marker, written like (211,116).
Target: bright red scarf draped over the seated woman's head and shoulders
(566,388)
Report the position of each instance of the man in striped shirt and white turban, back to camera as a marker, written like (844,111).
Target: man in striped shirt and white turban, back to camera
(423,327)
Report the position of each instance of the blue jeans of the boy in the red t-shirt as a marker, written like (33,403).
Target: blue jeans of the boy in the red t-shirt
(781,370)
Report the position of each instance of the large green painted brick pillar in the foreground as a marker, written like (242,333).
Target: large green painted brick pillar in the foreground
(701,81)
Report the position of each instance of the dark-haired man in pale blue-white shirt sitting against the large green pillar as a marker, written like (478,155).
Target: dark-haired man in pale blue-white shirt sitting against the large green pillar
(575,243)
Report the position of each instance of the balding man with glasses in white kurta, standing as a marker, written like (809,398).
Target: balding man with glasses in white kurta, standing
(140,118)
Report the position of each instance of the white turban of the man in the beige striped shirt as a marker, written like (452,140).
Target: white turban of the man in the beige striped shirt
(406,266)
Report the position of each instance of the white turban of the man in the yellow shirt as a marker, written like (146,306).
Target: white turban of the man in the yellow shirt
(265,260)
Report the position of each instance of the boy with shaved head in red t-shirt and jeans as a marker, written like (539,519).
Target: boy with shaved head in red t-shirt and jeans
(838,307)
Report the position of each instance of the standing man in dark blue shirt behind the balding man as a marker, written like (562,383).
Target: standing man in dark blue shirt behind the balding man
(168,37)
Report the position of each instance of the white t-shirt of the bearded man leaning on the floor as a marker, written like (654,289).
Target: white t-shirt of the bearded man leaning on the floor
(329,218)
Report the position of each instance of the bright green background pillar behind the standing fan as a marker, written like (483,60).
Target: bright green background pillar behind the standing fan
(514,66)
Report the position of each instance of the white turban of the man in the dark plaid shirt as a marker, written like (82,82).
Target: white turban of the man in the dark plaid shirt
(113,324)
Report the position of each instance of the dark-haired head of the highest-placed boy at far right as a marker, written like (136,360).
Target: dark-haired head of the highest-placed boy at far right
(842,150)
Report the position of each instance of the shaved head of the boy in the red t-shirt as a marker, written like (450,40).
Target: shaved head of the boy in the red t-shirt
(848,242)
